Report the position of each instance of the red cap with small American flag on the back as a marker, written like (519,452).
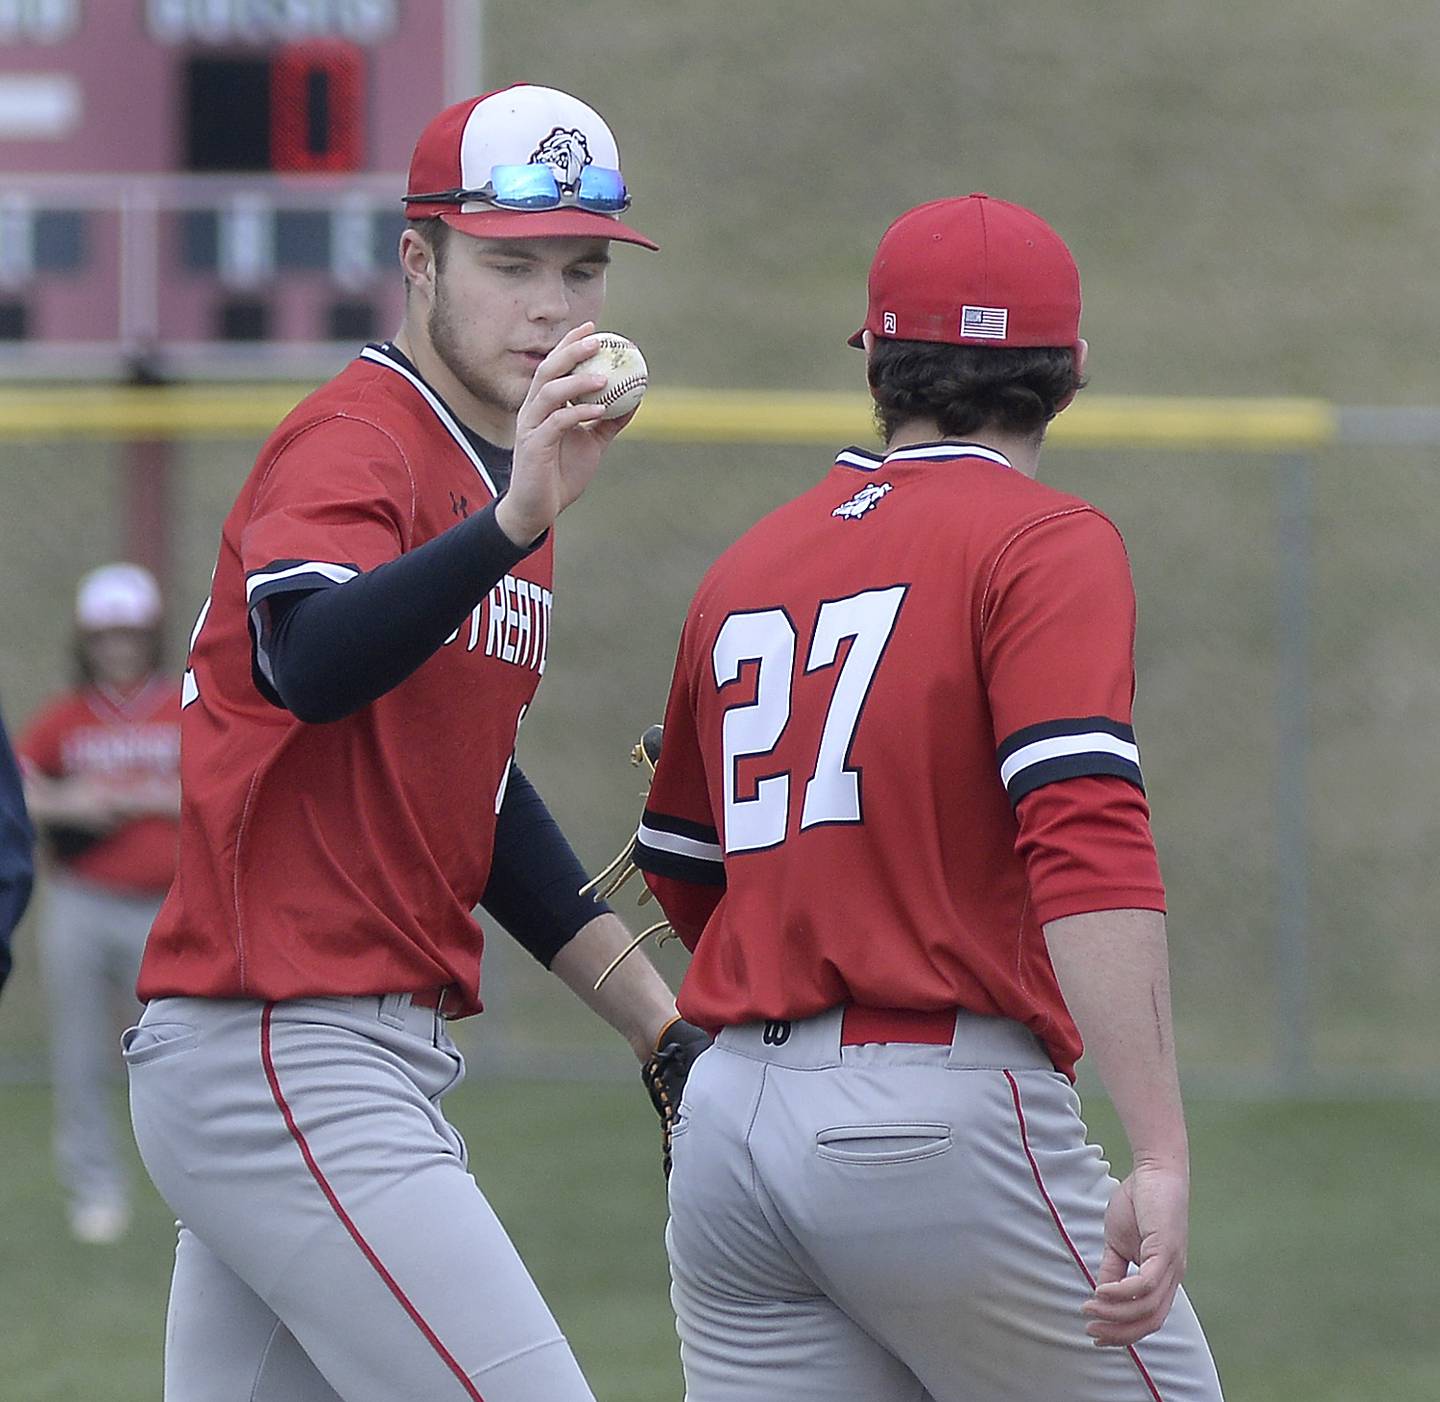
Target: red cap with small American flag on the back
(974,271)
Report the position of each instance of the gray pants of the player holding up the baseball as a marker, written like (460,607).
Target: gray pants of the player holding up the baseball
(333,1244)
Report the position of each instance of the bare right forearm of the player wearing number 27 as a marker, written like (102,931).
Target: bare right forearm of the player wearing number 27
(1114,972)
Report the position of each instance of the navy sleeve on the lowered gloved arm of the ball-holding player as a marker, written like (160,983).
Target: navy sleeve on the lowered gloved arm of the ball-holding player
(535,876)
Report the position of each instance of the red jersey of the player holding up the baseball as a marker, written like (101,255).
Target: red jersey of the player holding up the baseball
(346,859)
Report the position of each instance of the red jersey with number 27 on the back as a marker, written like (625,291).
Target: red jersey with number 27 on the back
(898,743)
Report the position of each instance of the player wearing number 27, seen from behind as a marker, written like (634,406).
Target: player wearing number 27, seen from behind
(899,821)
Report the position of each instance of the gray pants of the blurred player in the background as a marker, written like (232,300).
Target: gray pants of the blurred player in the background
(91,941)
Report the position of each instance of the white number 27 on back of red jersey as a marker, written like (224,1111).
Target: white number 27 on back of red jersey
(768,640)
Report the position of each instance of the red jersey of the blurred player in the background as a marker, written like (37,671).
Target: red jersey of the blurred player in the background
(117,742)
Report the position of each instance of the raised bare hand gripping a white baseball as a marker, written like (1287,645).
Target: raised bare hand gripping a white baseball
(568,420)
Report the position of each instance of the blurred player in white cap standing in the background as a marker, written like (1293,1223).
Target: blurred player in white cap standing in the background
(102,766)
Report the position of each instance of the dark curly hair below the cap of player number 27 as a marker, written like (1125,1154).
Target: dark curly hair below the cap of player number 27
(970,388)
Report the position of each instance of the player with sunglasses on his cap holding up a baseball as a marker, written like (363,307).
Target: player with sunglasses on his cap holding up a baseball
(378,627)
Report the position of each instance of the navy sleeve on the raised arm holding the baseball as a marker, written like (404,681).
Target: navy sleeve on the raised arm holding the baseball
(323,654)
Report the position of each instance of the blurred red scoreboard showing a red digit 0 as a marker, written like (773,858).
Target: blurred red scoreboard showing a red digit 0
(211,186)
